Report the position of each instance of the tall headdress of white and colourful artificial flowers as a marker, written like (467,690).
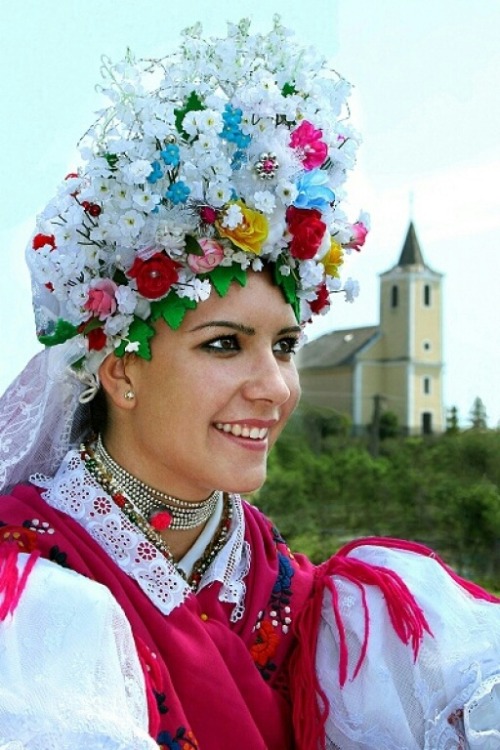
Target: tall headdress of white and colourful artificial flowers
(227,156)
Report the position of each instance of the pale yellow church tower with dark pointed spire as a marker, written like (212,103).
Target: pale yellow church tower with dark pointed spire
(411,340)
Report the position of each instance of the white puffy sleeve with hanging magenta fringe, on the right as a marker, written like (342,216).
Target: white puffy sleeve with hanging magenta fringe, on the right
(448,698)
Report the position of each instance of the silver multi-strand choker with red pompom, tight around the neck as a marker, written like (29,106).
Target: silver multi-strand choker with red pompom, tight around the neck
(162,511)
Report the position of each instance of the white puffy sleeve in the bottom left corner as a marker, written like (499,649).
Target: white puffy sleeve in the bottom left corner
(70,675)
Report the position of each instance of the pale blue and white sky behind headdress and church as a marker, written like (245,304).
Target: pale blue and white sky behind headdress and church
(426,76)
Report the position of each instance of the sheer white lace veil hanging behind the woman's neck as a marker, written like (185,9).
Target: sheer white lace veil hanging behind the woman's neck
(41,416)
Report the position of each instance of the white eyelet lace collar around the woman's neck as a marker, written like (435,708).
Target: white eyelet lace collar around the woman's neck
(74,491)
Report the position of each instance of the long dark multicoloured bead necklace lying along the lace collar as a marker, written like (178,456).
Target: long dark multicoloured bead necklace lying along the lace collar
(109,484)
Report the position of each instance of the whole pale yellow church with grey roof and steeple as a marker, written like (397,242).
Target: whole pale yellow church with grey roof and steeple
(396,366)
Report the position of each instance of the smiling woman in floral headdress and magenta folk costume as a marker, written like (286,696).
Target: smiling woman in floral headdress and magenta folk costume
(143,603)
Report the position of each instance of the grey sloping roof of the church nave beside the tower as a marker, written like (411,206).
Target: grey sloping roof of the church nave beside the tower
(334,349)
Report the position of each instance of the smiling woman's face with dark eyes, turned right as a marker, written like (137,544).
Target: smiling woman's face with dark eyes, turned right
(215,395)
